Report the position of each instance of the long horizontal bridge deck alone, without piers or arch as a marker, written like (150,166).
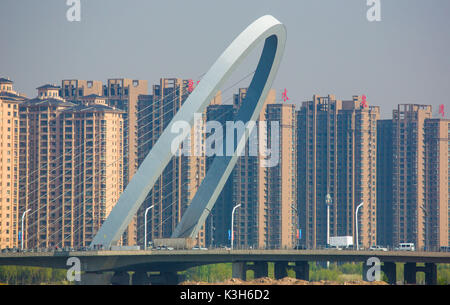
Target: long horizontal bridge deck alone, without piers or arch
(180,259)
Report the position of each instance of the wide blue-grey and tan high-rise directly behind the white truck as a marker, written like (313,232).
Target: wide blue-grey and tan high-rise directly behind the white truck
(336,156)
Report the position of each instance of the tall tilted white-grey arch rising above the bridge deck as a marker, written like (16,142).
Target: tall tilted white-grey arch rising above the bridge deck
(273,33)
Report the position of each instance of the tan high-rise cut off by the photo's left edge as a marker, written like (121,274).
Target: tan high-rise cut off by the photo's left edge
(9,164)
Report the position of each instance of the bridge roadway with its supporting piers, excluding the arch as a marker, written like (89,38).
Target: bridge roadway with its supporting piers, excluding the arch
(115,267)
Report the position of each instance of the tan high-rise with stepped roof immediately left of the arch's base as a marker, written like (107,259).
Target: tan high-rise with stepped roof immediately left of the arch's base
(97,130)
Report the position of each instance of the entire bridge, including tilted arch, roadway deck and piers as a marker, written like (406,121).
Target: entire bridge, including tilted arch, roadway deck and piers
(97,265)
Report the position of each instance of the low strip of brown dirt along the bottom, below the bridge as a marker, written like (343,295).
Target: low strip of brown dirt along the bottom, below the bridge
(284,281)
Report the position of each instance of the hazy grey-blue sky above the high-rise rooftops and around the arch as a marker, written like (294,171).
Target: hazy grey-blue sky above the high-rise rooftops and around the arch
(331,46)
